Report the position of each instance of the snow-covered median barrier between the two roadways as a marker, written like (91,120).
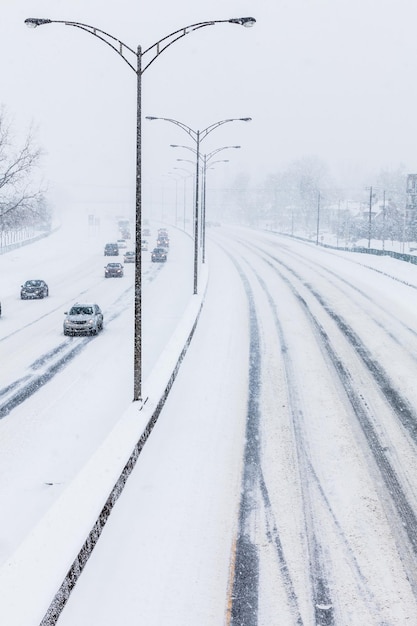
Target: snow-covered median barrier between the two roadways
(37,579)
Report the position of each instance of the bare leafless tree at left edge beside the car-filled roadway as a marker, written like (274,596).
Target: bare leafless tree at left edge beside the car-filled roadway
(22,197)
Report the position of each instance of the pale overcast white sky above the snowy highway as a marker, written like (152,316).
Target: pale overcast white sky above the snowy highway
(332,78)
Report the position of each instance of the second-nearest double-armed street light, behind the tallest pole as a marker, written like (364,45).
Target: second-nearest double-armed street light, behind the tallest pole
(197,136)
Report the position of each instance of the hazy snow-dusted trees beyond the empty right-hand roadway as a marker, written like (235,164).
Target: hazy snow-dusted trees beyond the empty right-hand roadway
(303,199)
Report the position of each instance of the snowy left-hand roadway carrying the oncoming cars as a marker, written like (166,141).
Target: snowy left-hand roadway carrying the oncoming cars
(47,438)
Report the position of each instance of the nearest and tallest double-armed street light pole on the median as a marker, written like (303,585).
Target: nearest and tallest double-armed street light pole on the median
(139,60)
